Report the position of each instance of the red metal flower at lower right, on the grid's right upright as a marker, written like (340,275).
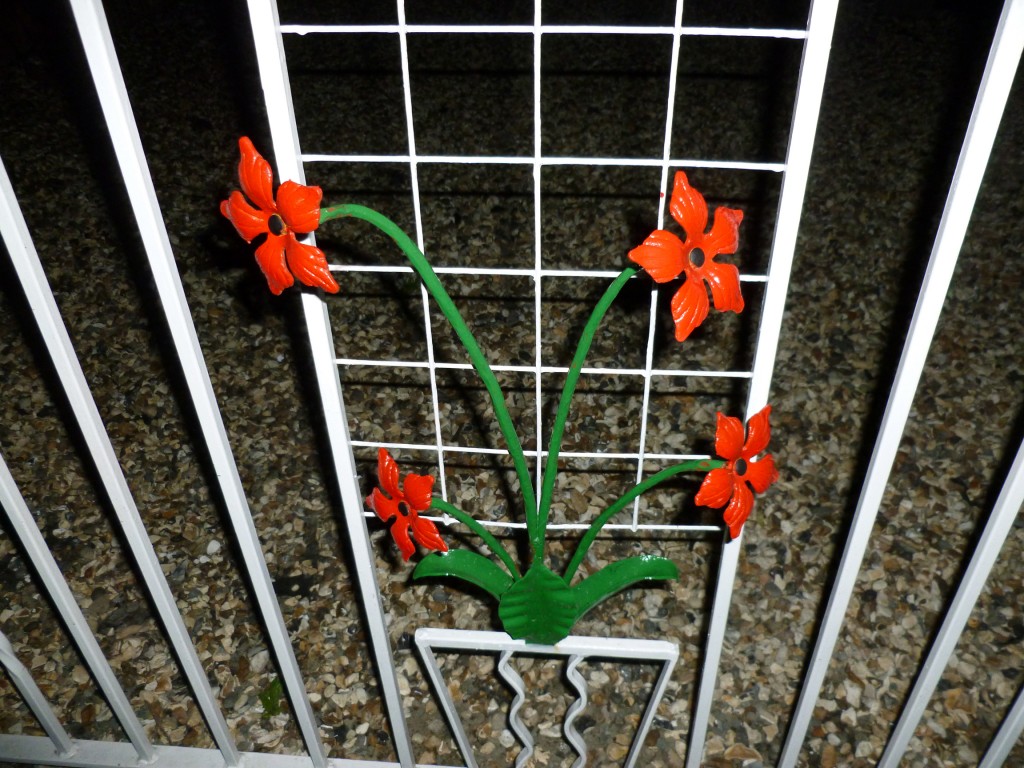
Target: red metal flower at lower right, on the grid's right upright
(729,485)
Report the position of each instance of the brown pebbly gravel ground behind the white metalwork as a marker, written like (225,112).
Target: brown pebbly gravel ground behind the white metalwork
(899,96)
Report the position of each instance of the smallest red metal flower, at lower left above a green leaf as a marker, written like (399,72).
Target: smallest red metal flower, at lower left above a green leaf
(404,504)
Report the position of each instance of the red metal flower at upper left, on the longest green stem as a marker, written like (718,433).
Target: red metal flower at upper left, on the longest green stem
(295,210)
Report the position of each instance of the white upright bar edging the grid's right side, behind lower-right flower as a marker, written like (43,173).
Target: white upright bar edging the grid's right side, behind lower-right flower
(805,119)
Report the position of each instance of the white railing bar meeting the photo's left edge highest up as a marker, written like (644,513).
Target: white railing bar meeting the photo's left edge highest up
(66,363)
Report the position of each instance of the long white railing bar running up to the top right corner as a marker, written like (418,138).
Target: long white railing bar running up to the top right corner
(982,132)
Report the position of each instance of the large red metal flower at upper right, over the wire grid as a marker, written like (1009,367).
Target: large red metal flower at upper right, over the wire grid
(665,258)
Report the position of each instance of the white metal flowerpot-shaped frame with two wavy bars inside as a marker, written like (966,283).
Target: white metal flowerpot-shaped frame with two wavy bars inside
(574,650)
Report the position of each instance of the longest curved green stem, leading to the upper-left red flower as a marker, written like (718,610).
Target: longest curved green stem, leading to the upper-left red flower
(433,284)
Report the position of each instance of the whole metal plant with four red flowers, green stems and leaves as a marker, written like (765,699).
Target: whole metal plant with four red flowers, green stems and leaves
(538,605)
